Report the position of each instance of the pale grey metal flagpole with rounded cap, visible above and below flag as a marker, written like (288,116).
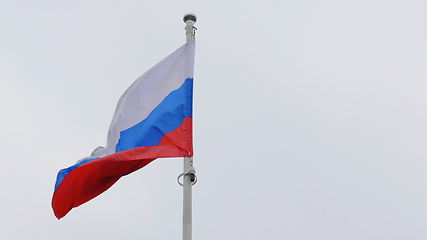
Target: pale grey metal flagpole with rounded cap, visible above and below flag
(189,172)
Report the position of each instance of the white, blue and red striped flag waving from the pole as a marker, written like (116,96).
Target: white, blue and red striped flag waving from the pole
(153,119)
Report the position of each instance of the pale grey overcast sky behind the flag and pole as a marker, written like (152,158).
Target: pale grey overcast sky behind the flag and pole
(310,117)
